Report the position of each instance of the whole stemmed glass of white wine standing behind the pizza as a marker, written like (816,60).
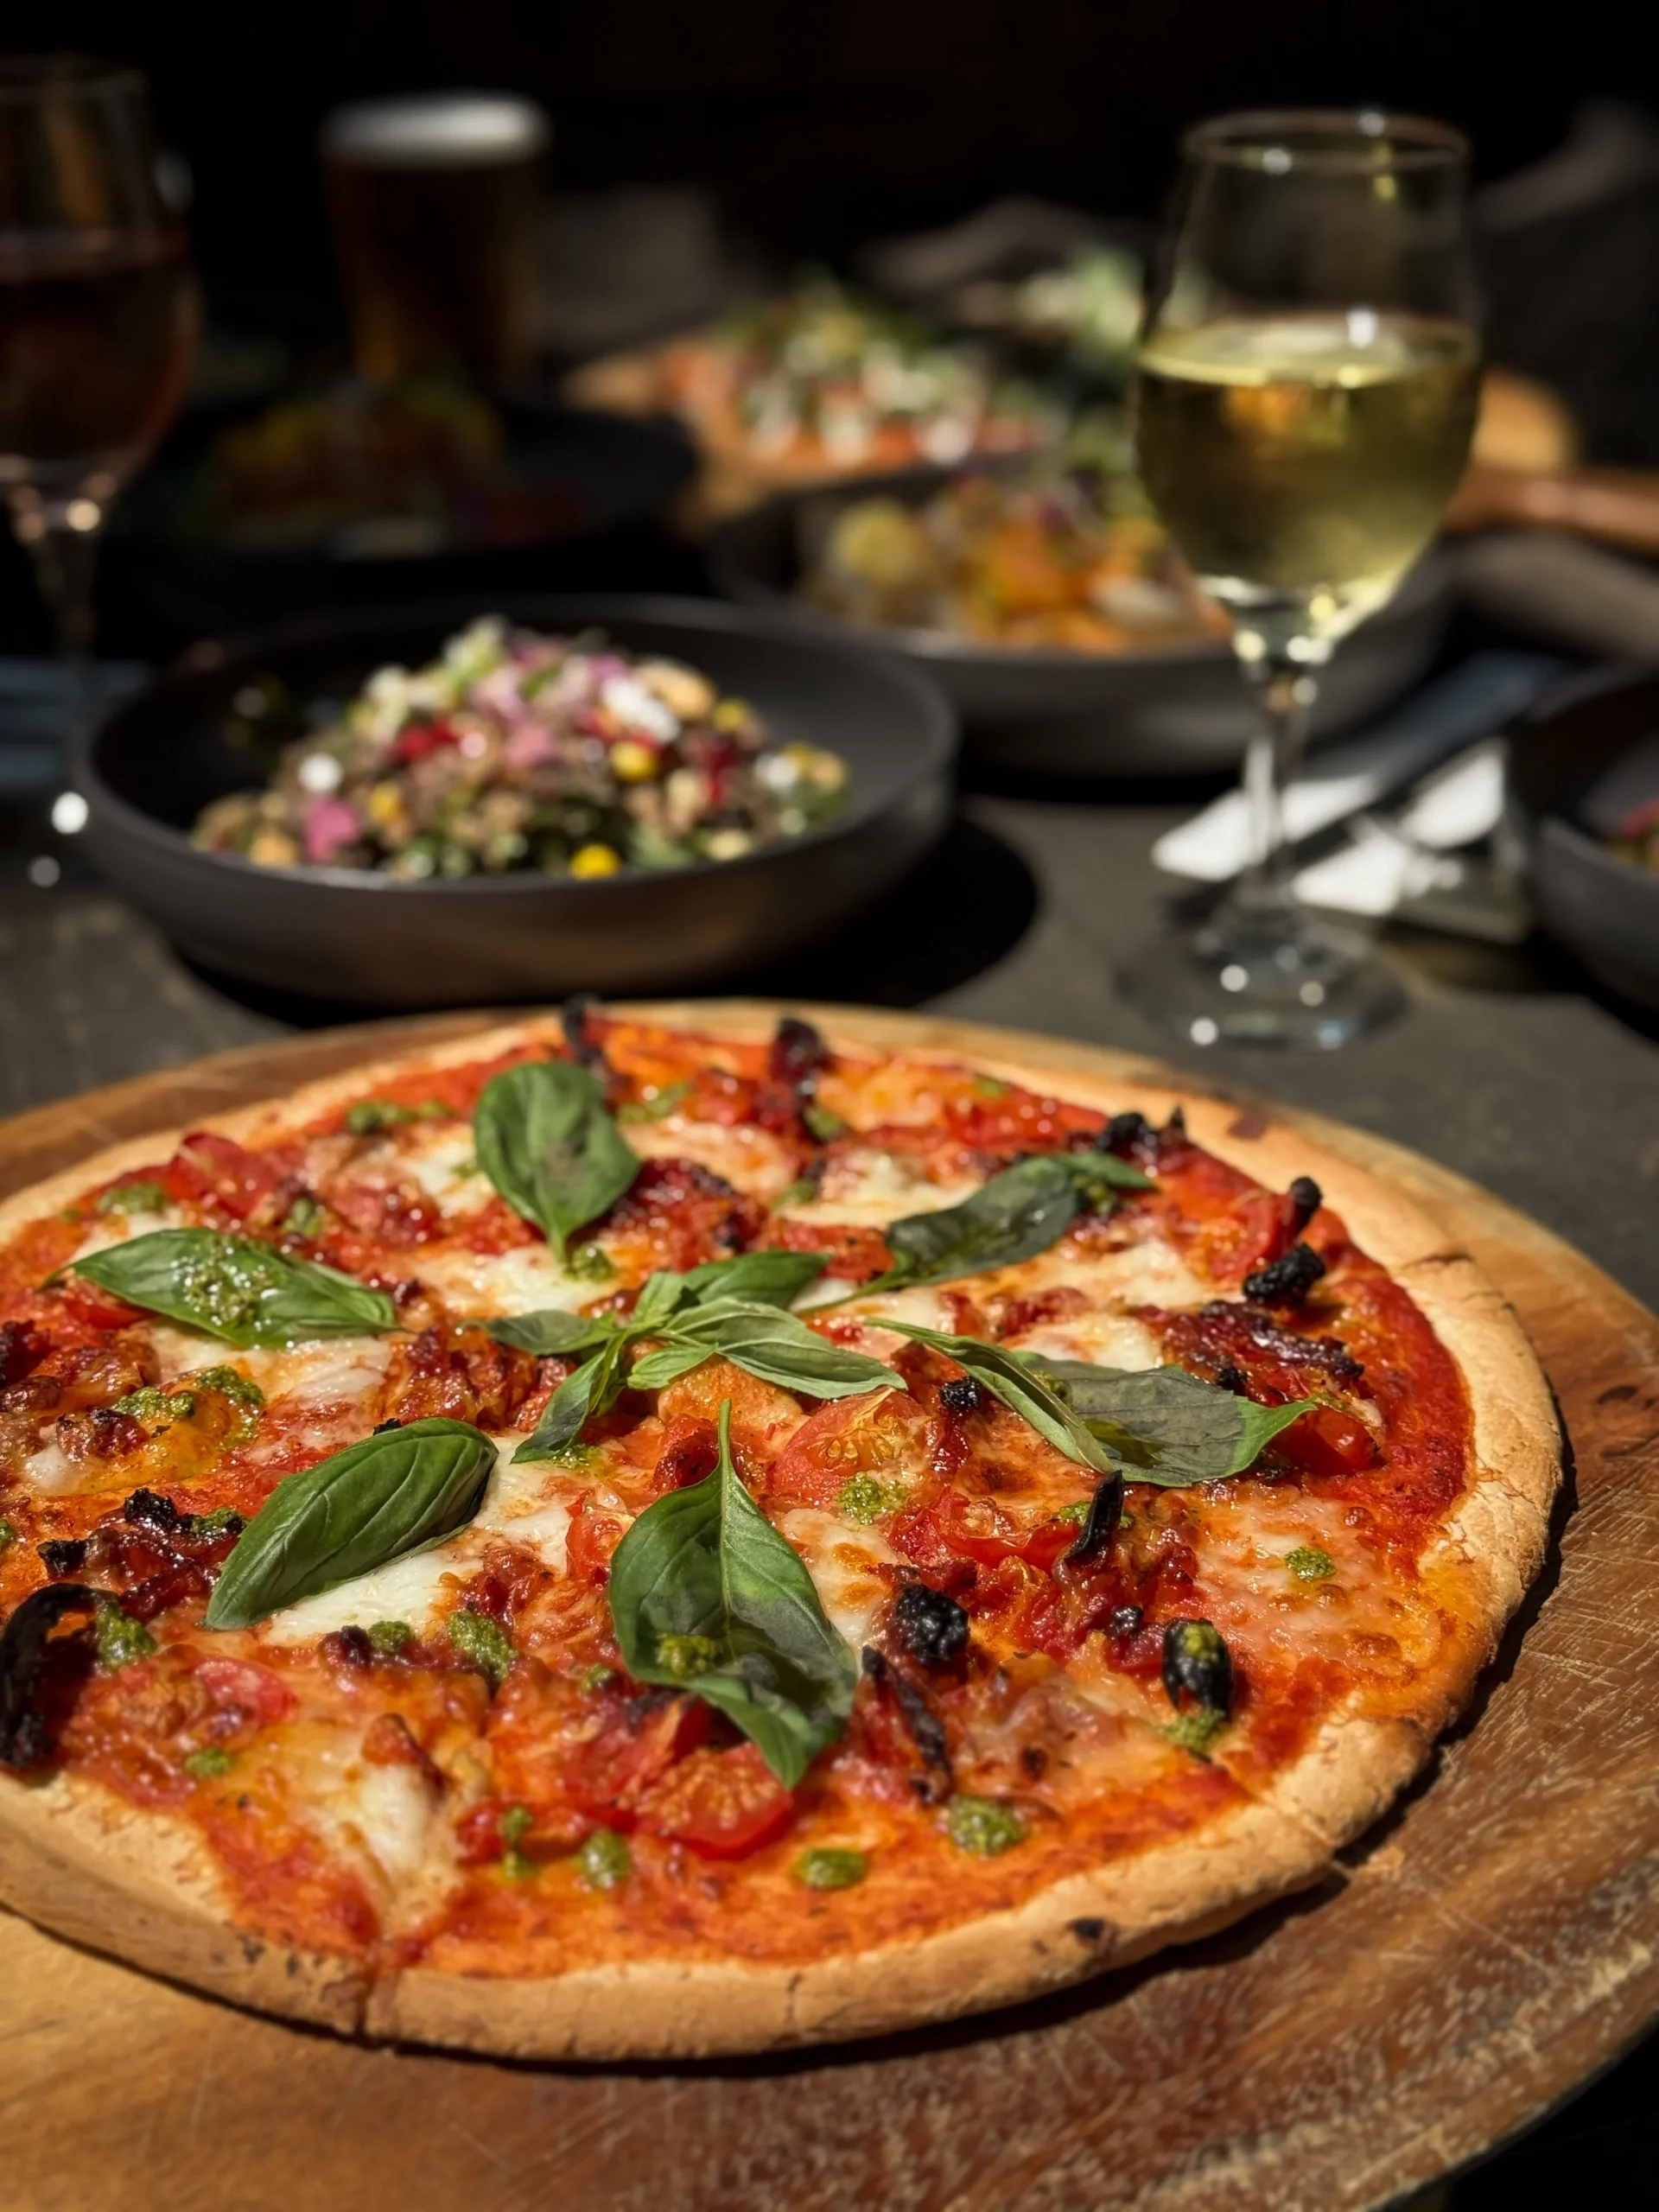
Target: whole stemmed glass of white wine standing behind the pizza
(1304,406)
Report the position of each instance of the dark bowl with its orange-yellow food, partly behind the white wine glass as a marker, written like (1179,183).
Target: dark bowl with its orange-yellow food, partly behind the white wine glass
(1050,607)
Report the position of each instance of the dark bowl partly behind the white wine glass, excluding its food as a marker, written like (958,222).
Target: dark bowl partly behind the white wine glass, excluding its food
(1158,713)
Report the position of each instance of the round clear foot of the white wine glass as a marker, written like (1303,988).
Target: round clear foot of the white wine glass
(1311,990)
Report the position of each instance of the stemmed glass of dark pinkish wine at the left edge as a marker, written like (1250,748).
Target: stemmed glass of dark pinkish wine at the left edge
(98,315)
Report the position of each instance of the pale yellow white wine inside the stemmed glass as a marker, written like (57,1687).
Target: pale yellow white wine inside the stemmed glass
(1304,461)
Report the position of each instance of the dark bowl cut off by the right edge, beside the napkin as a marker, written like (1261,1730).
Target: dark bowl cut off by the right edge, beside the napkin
(1580,760)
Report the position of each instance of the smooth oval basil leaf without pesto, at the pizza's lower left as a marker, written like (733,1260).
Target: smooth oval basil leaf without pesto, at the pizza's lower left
(351,1514)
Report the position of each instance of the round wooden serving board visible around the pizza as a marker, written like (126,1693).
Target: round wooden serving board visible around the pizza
(1479,1954)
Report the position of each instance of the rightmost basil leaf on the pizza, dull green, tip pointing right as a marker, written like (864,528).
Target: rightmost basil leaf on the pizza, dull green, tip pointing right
(1185,1430)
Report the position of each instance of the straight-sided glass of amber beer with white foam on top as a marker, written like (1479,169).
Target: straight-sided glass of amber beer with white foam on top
(437,209)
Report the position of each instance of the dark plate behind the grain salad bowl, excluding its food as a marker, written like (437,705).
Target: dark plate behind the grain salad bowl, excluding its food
(609,481)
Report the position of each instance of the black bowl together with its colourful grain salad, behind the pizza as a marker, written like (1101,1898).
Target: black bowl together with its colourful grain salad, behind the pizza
(428,808)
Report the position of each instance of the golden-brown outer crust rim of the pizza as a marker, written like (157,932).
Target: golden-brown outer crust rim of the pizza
(140,1888)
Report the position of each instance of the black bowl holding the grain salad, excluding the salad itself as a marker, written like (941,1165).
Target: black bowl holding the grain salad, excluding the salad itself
(344,935)
